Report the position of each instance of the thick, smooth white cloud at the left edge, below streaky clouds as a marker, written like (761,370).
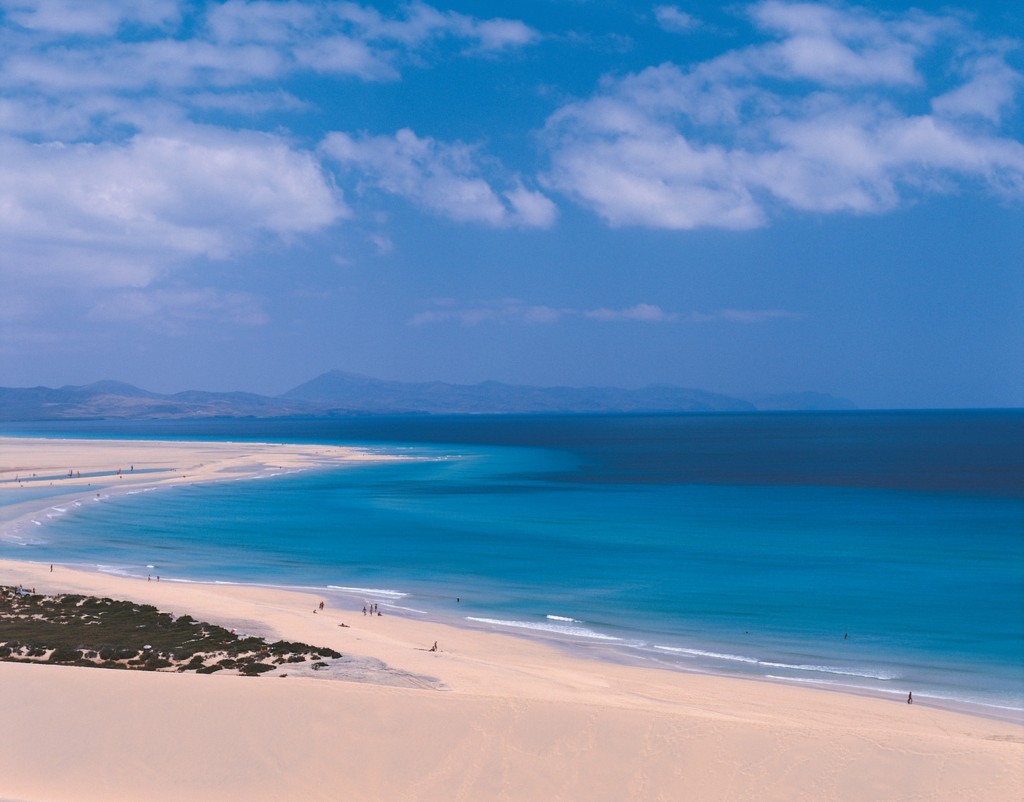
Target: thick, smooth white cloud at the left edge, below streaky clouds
(118,215)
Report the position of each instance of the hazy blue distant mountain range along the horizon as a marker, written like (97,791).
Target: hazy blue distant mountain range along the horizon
(338,394)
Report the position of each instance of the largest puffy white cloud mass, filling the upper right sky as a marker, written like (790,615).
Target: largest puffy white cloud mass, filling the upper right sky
(825,117)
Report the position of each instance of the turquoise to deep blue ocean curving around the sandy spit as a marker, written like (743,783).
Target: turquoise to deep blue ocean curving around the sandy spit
(871,553)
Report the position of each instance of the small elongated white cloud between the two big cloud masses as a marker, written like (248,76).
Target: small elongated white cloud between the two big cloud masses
(445,179)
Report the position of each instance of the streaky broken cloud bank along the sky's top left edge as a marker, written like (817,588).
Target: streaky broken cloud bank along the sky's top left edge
(60,47)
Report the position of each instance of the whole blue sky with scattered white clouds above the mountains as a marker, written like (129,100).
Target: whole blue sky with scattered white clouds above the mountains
(749,198)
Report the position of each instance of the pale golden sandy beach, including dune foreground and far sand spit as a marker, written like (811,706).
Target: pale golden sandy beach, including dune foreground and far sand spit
(486,717)
